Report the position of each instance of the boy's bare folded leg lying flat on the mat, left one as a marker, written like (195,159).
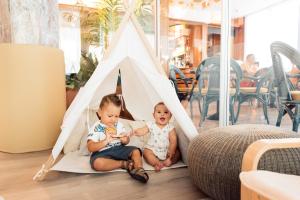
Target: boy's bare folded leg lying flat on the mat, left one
(105,164)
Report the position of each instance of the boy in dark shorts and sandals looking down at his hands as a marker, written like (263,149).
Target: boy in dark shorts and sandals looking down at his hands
(108,139)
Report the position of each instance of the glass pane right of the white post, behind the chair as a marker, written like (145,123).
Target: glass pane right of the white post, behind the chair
(255,26)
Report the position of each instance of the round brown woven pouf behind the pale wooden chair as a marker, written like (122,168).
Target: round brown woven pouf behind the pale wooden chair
(215,157)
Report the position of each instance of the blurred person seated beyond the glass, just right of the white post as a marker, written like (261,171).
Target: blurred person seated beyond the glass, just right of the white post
(249,68)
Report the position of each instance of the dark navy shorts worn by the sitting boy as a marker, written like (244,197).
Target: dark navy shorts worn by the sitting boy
(117,153)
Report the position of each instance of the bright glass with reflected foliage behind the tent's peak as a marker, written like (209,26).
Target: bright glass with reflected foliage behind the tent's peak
(96,22)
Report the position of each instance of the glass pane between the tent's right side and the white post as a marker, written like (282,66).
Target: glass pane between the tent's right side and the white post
(190,36)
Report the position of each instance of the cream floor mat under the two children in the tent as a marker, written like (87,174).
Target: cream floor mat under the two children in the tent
(76,163)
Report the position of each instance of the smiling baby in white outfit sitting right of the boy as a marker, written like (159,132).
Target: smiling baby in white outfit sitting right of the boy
(161,149)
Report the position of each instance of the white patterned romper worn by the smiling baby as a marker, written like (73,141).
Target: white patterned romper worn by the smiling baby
(158,140)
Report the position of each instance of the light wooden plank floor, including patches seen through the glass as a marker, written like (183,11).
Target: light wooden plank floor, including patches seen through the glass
(17,170)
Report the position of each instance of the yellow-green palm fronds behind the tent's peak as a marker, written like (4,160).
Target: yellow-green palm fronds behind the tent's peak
(97,24)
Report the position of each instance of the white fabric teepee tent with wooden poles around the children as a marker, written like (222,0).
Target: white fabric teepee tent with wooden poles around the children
(143,85)
